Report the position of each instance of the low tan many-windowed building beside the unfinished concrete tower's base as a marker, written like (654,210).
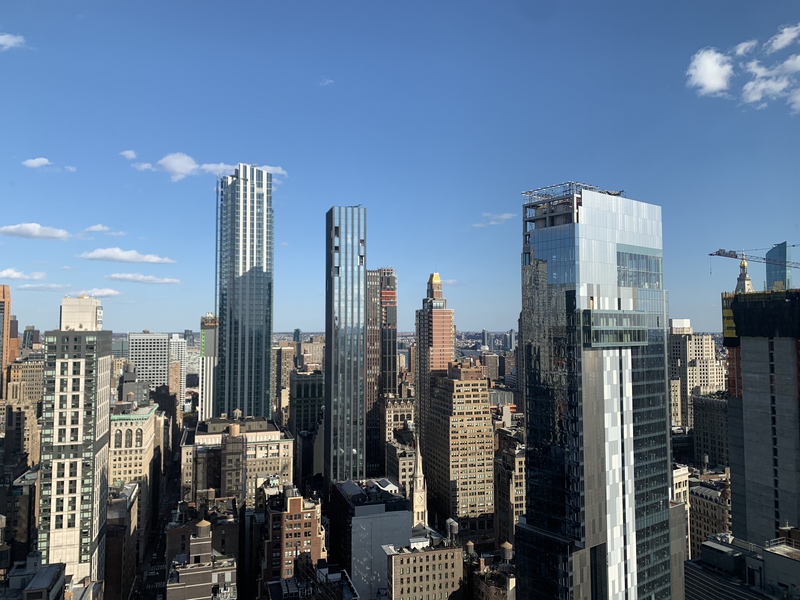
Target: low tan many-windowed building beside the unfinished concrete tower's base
(709,514)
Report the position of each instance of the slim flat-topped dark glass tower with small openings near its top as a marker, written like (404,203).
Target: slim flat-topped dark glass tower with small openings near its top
(345,343)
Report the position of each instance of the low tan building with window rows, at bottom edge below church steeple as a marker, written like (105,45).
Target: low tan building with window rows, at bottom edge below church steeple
(423,569)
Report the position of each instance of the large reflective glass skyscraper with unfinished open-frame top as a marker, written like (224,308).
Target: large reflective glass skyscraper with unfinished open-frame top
(592,370)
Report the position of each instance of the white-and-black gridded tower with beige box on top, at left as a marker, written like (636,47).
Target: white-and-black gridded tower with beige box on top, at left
(74,447)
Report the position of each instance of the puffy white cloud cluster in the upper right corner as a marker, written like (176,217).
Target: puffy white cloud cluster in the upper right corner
(715,73)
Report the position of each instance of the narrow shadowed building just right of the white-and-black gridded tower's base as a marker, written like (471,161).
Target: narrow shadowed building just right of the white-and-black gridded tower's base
(122,558)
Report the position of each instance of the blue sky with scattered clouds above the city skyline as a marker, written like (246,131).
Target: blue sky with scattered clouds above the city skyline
(434,115)
